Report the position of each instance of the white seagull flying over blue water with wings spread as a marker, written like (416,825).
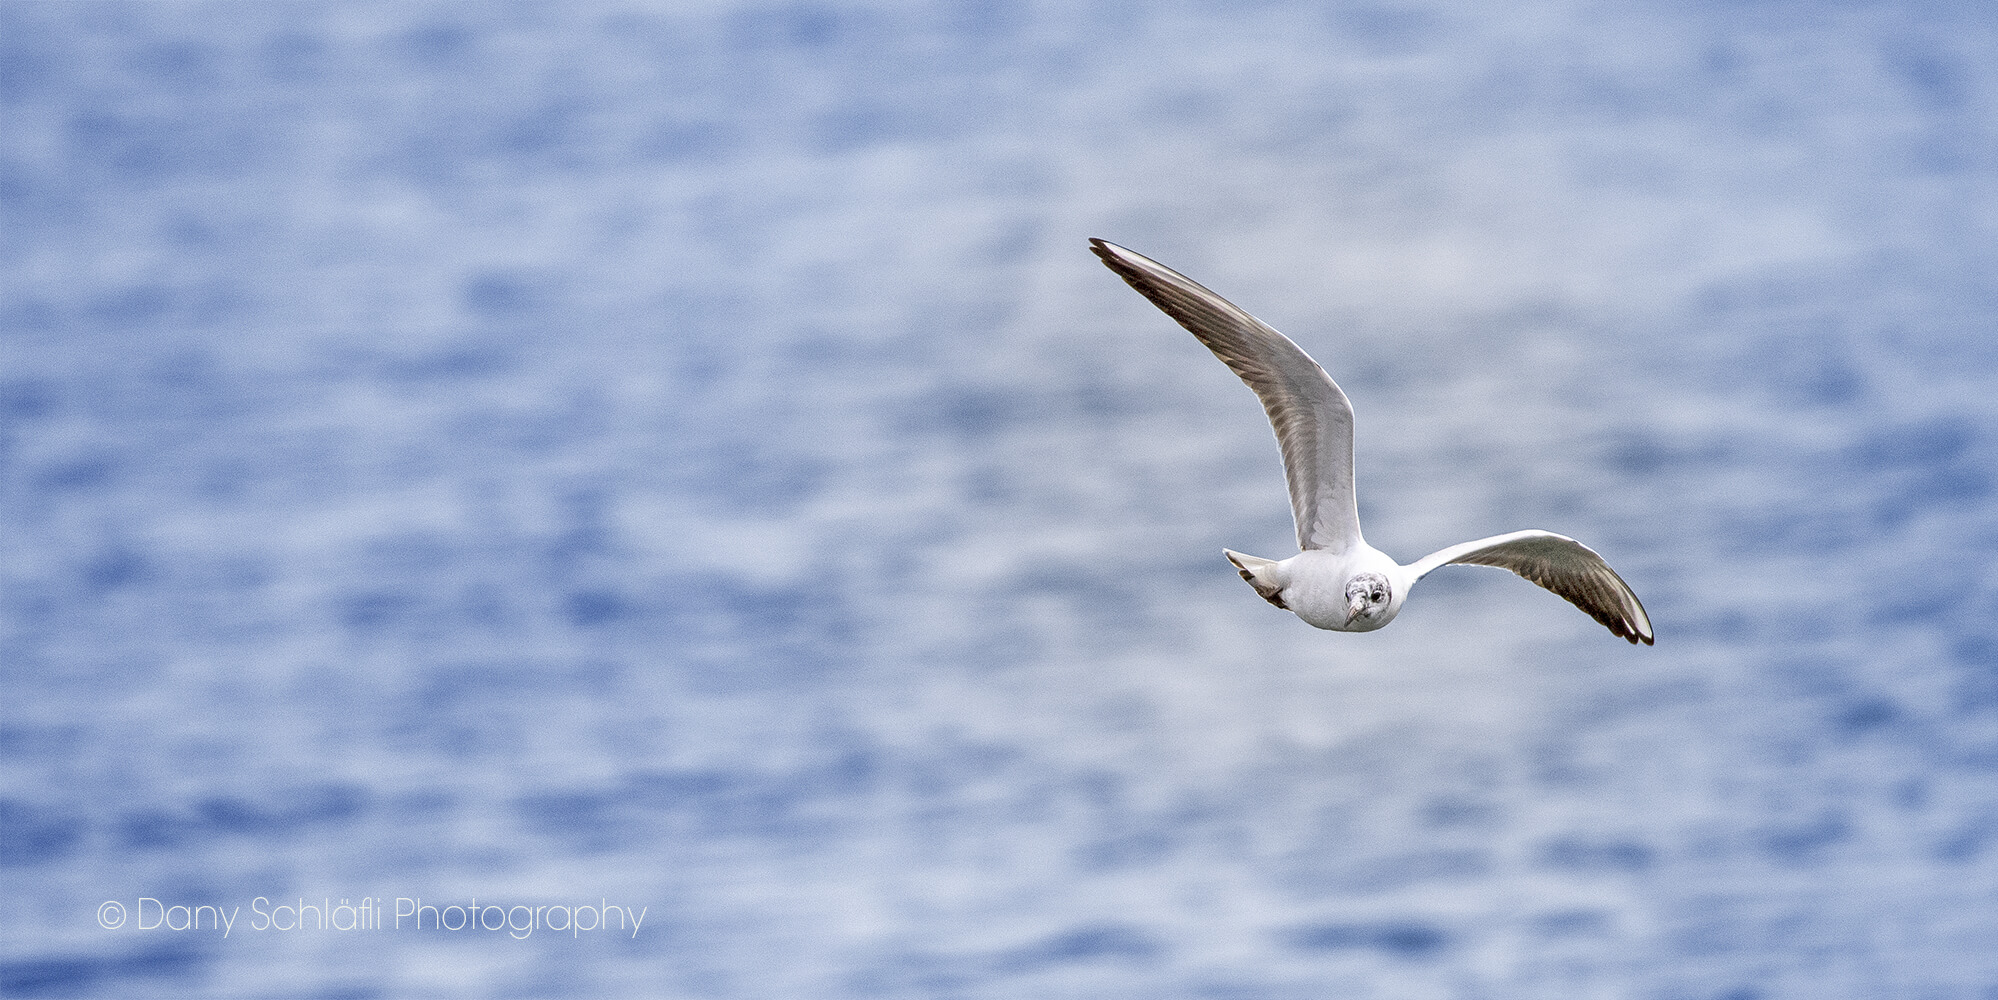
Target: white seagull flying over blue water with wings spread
(1338,582)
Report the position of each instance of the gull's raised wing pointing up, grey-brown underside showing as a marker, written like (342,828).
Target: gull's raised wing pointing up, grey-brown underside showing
(1308,410)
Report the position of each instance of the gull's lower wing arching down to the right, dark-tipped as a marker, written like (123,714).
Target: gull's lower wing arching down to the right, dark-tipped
(1559,564)
